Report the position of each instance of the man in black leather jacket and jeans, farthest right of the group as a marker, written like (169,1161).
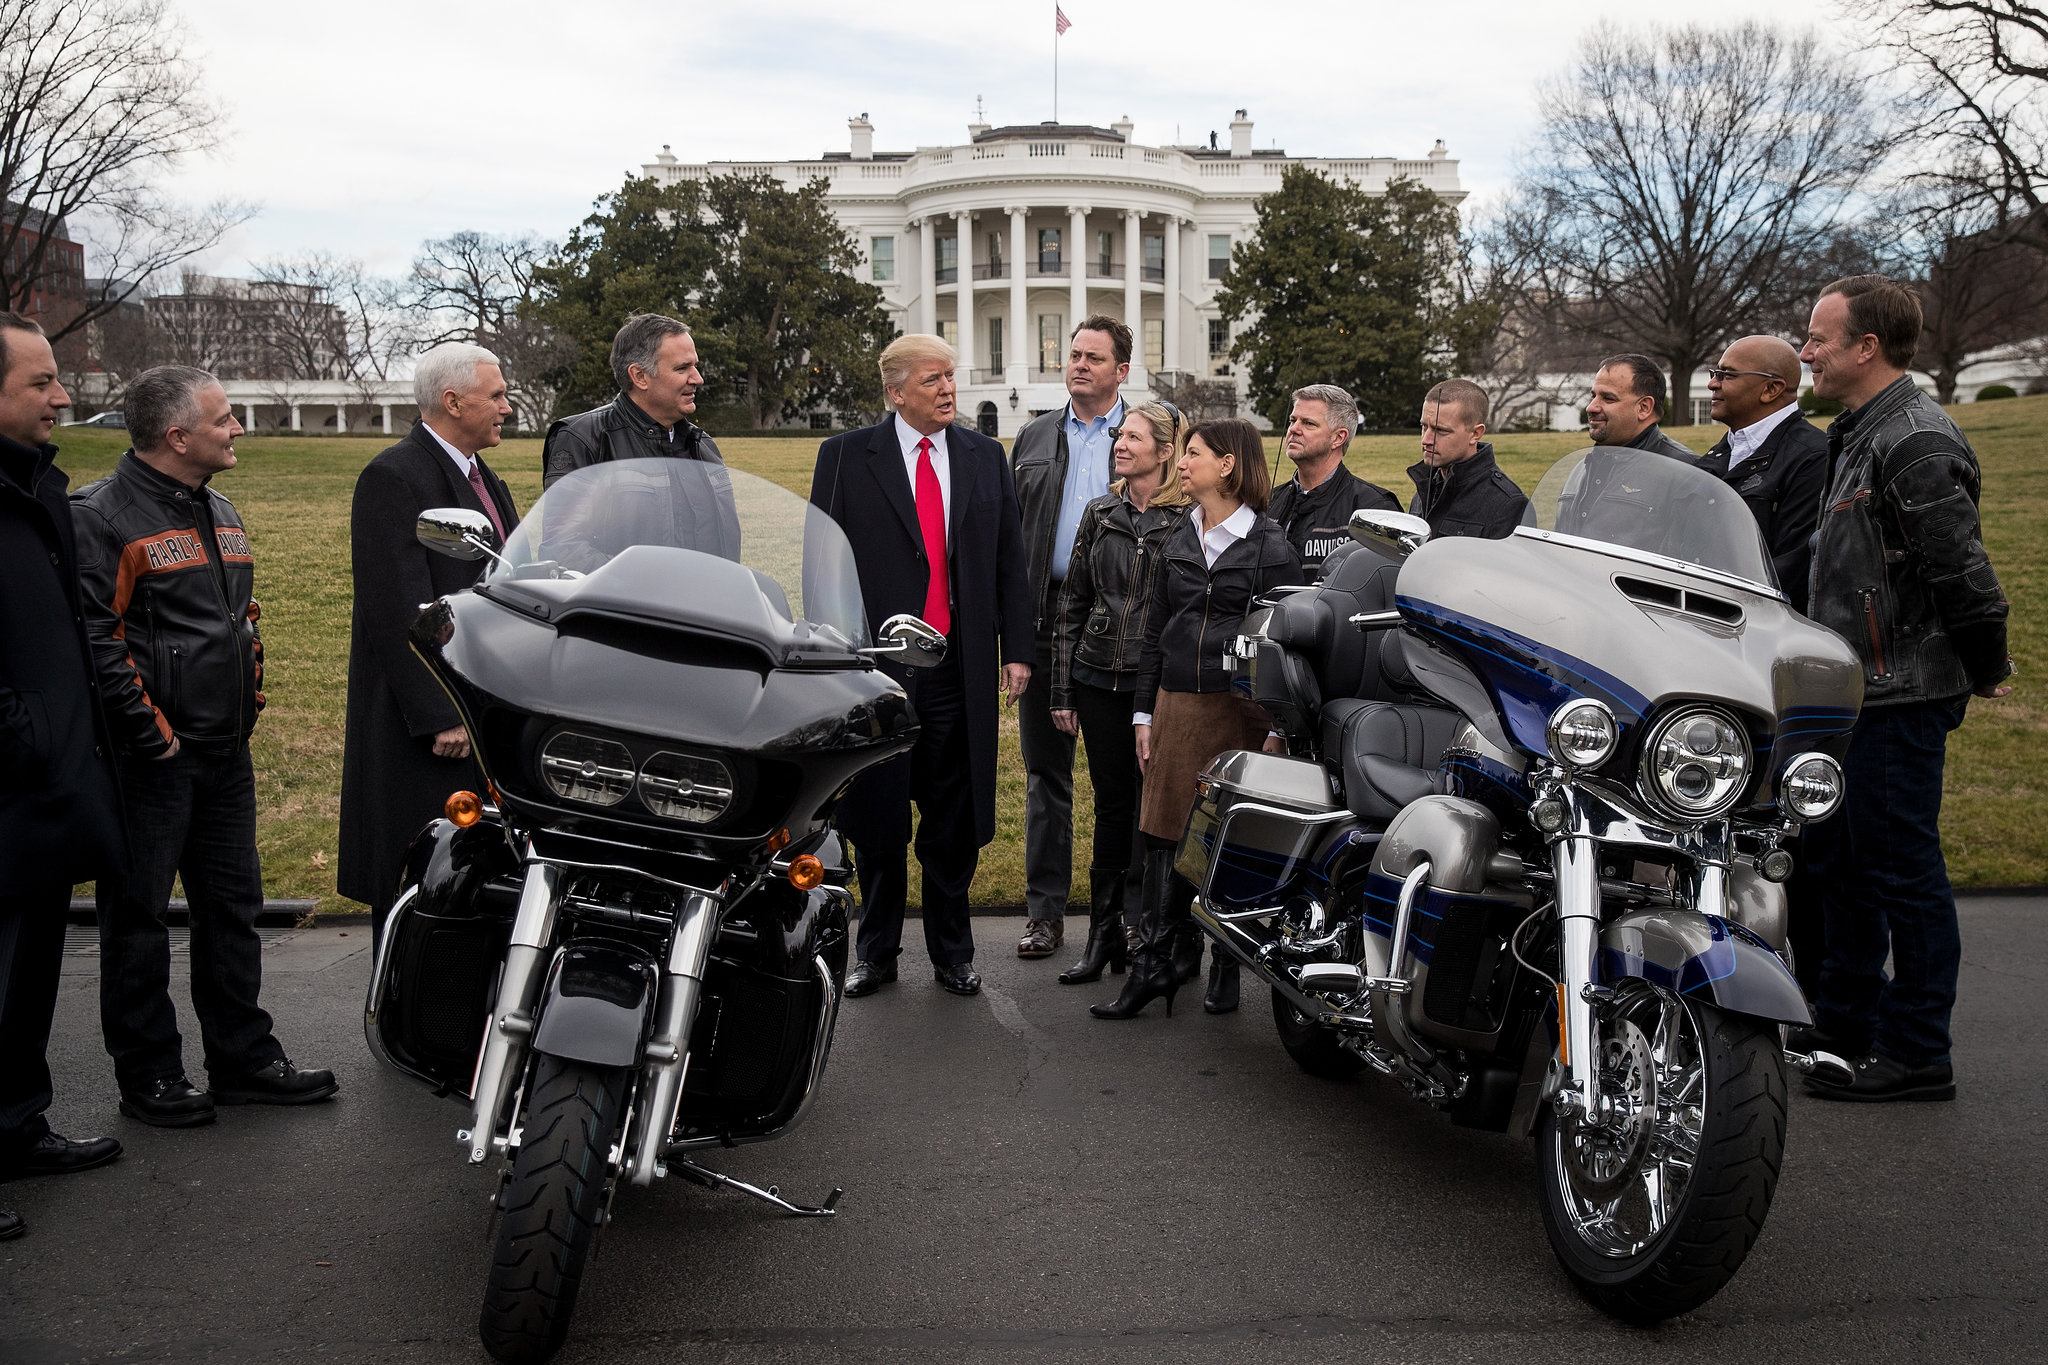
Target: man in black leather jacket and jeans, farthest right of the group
(1902,574)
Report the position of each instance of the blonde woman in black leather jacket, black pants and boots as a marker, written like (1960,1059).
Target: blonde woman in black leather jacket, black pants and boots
(1099,631)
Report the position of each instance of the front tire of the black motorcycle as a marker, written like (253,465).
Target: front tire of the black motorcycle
(552,1208)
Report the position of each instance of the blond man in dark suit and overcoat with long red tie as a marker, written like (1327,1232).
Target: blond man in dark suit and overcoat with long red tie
(919,492)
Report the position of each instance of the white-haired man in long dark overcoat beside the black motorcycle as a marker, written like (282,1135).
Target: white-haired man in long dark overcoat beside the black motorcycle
(407,748)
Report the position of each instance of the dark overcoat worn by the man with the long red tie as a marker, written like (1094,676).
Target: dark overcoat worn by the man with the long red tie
(863,486)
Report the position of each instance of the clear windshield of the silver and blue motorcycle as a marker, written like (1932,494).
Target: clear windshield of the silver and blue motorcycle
(1654,504)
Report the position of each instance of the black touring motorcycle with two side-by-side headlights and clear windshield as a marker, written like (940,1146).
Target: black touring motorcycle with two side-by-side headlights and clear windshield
(634,949)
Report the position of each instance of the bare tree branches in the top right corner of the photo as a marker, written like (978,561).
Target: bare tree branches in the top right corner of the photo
(1977,112)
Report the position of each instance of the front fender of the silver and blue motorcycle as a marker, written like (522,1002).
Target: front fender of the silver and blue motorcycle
(1703,957)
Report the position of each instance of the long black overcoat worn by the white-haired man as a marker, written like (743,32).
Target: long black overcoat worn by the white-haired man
(392,783)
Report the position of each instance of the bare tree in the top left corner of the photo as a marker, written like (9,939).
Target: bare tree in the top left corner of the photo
(97,101)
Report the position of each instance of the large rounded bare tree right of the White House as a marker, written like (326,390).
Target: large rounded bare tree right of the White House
(1682,183)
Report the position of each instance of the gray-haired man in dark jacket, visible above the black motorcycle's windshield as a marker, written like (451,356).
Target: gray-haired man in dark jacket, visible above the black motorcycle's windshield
(654,363)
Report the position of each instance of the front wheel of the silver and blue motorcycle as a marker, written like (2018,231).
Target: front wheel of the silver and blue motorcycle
(1654,1206)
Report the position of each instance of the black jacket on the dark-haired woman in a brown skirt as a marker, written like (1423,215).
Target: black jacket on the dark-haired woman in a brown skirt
(1199,611)
